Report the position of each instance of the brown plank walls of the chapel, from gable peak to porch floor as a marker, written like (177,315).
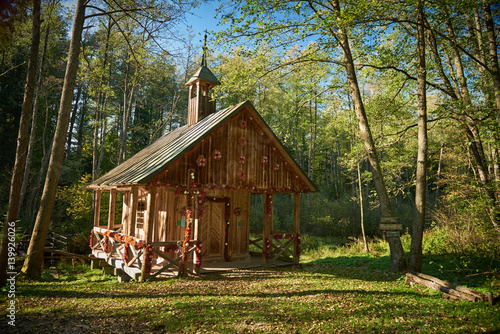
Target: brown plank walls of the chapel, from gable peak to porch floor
(234,161)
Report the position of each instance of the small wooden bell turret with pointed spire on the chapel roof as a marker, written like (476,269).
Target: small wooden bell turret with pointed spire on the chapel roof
(201,99)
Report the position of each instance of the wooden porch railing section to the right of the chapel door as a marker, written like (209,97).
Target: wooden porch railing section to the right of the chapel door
(279,246)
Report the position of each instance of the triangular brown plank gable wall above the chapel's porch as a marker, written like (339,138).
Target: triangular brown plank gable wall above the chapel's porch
(238,155)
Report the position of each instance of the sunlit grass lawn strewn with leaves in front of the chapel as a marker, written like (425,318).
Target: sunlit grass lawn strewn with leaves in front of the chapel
(341,290)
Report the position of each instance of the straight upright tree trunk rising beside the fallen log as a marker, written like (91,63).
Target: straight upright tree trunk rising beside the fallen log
(415,260)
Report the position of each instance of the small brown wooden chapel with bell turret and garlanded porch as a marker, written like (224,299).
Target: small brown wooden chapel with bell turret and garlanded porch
(186,197)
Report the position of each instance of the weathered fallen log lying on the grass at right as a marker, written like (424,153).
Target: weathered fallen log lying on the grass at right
(450,291)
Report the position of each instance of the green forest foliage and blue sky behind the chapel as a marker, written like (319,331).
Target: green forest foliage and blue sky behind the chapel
(136,57)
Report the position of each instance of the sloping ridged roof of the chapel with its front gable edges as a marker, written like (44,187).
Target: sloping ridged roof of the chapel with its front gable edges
(152,160)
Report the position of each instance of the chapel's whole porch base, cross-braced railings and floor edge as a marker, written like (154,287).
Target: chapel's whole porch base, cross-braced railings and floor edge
(131,256)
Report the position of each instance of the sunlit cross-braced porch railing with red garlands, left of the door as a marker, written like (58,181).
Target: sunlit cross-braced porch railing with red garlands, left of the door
(133,251)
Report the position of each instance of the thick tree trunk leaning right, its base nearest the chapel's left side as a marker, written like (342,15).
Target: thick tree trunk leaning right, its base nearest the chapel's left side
(32,267)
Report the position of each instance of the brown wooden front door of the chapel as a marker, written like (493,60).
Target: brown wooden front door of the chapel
(212,232)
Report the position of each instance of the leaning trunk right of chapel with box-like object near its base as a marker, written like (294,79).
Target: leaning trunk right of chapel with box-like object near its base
(398,261)
